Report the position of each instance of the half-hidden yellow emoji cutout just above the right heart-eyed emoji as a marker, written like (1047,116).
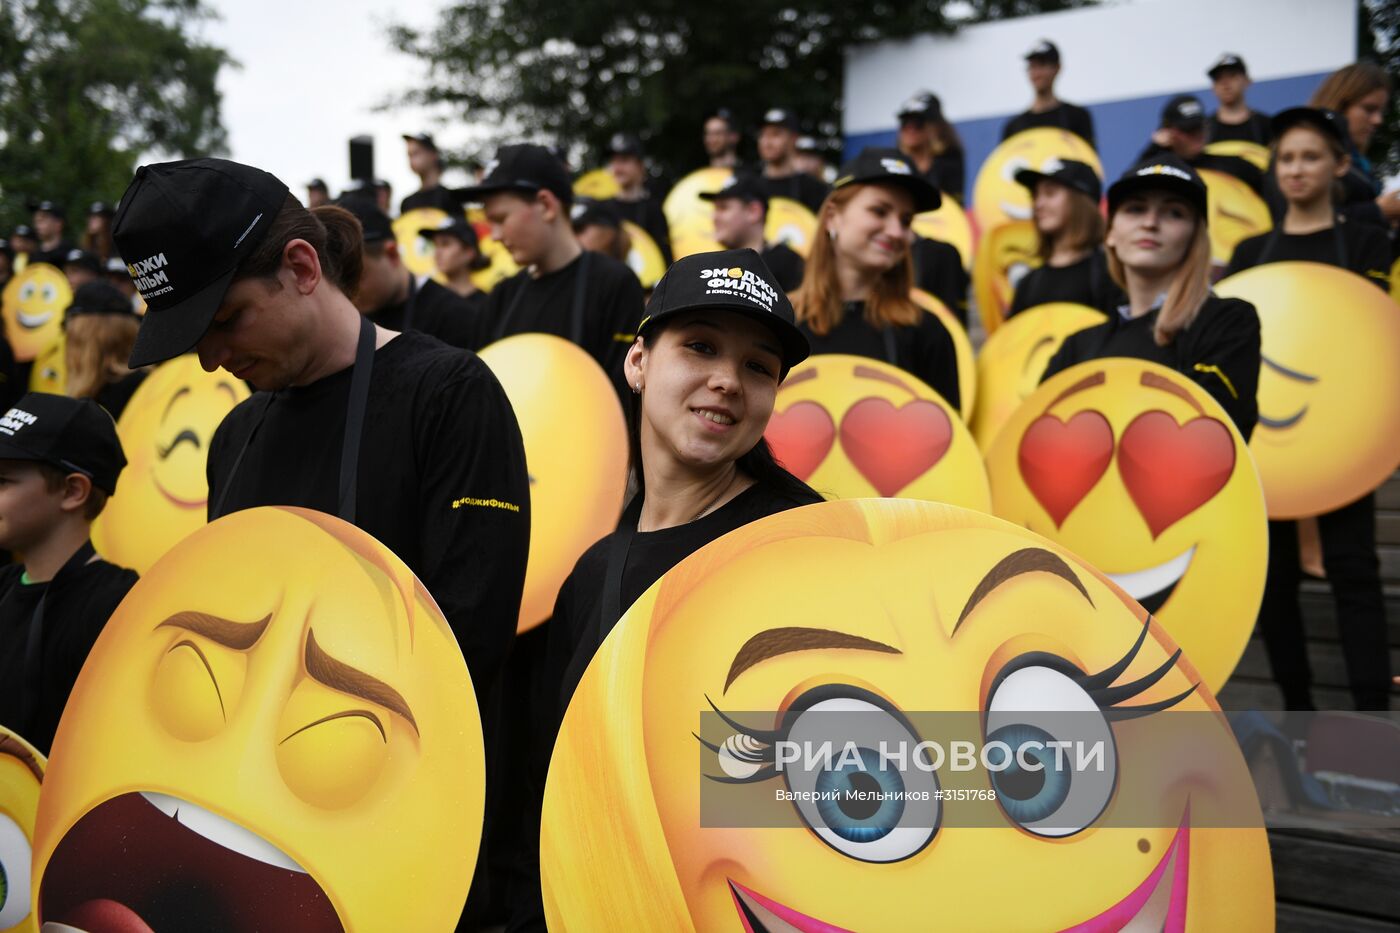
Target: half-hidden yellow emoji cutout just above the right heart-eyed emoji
(1014,359)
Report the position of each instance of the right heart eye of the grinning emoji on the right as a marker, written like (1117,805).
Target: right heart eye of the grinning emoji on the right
(1172,470)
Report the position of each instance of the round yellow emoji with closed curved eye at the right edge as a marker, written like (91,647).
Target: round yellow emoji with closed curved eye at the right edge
(1329,387)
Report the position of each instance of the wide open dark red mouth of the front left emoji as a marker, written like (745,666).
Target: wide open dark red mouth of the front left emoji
(150,862)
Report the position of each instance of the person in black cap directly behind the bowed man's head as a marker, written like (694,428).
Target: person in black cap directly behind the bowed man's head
(394,298)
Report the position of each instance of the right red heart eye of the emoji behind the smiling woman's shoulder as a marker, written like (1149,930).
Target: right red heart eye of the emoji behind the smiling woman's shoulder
(891,446)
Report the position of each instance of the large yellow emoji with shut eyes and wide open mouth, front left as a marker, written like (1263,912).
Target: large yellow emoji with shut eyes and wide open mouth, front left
(275,732)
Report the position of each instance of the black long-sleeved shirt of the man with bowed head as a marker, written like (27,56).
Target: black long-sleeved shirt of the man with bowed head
(442,478)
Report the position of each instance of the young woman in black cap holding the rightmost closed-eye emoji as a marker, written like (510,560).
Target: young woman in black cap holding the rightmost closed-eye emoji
(1310,155)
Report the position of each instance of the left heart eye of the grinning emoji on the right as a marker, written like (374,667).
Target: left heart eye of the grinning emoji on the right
(1062,462)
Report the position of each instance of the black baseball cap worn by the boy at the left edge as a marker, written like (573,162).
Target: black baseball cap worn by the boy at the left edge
(76,435)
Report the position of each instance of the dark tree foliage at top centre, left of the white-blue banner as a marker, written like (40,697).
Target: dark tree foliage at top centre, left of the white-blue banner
(573,74)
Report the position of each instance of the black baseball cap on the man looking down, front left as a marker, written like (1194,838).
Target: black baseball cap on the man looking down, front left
(184,228)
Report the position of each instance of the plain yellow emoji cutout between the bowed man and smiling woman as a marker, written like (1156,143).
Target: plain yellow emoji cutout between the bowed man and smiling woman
(576,450)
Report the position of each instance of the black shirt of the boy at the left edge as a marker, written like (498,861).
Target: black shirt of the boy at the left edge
(73,617)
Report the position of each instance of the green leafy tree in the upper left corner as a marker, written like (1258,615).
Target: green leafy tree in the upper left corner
(90,86)
